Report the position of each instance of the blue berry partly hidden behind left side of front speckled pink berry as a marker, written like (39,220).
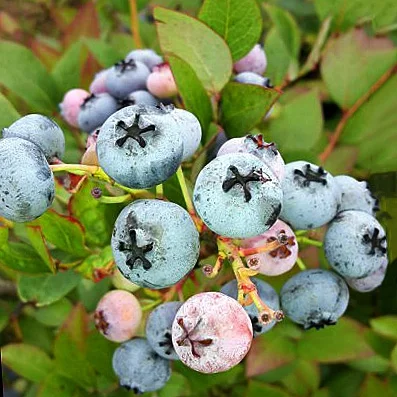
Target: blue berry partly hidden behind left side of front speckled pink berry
(159,328)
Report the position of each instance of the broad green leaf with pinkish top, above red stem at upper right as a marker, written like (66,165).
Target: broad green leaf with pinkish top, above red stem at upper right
(353,62)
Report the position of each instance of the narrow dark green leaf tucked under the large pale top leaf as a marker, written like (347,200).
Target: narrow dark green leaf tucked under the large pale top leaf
(192,91)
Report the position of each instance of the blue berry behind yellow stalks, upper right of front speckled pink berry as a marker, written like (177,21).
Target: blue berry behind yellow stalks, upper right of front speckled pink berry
(266,293)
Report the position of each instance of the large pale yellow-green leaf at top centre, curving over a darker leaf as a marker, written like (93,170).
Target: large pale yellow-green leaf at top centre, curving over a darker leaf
(196,44)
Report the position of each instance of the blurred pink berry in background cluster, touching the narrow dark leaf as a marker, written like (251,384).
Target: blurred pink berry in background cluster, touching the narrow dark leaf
(161,82)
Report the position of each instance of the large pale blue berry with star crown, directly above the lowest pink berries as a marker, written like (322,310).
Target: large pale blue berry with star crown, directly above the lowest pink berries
(155,243)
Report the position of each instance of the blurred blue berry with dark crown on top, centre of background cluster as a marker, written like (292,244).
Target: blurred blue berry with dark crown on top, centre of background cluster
(125,77)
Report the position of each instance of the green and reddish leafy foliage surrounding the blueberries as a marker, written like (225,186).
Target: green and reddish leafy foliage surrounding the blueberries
(334,67)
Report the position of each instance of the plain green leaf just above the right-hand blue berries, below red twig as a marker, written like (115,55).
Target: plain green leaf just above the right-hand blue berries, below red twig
(299,124)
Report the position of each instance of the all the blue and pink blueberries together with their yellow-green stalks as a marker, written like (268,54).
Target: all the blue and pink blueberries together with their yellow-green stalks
(256,207)
